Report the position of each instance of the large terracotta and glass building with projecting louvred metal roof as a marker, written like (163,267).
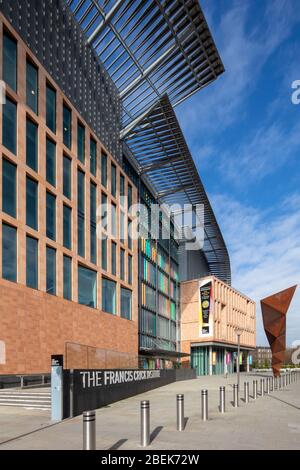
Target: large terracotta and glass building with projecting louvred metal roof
(91,88)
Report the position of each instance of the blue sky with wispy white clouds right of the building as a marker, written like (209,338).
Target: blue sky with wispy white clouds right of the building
(244,134)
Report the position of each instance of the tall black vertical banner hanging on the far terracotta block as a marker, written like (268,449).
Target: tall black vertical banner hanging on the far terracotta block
(206,309)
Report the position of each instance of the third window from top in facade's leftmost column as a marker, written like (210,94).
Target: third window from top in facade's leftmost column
(9,190)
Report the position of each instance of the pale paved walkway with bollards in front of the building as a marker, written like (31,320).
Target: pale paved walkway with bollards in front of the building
(271,422)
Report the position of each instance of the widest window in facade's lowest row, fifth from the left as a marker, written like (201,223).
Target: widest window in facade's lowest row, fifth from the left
(87,287)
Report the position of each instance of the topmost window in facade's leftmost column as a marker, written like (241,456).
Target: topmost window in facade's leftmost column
(10,60)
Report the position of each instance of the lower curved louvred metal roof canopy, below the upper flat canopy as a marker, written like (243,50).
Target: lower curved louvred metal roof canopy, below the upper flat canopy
(162,153)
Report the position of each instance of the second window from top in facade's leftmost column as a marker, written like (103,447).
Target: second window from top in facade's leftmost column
(9,125)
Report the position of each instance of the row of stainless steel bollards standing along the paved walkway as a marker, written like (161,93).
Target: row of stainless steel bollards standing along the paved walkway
(267,385)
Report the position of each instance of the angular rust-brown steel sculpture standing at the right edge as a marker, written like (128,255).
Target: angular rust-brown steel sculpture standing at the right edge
(274,310)
